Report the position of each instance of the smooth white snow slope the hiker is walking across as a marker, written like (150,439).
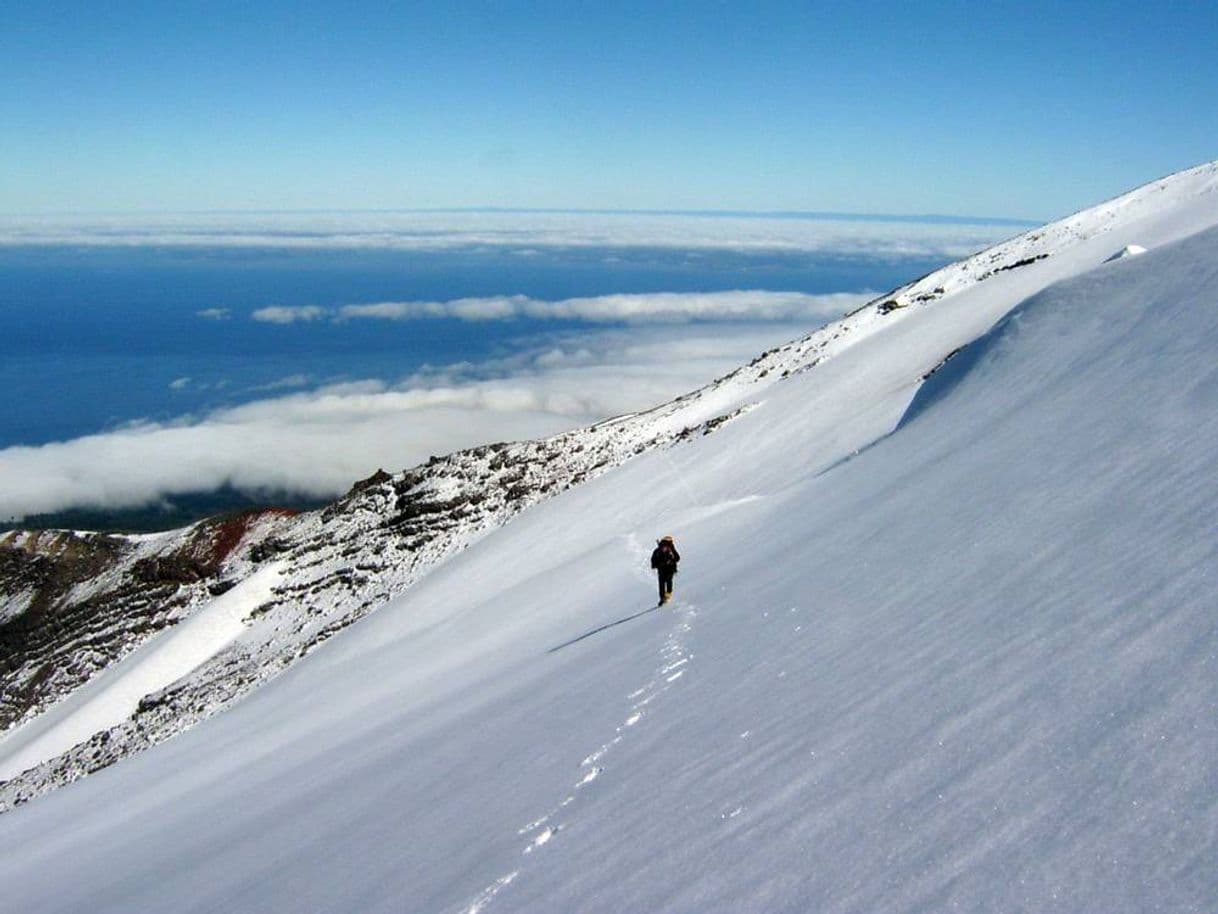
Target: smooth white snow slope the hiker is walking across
(937,647)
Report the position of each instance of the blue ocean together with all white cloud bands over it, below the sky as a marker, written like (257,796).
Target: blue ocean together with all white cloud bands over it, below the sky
(188,364)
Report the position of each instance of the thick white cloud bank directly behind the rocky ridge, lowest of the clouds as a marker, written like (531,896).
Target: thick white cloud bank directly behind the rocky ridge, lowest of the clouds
(322,441)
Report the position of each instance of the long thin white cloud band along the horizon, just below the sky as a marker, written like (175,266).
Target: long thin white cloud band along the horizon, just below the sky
(524,233)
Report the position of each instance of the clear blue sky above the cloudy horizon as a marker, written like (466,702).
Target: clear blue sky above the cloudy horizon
(1023,110)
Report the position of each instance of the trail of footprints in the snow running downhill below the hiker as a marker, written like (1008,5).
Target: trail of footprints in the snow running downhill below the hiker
(541,832)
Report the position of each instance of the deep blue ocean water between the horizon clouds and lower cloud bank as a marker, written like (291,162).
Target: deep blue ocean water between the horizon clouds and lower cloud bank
(94,338)
